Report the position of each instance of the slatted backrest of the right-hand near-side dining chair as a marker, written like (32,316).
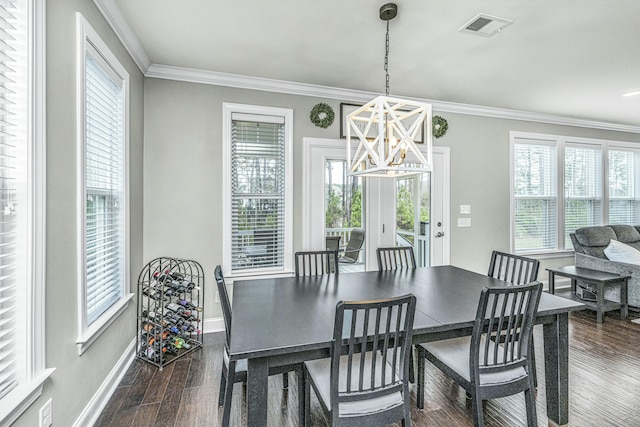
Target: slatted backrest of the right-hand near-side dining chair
(505,311)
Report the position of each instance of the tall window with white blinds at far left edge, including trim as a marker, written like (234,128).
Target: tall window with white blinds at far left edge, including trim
(22,364)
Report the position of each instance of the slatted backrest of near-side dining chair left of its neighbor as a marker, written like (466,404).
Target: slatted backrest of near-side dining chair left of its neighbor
(374,340)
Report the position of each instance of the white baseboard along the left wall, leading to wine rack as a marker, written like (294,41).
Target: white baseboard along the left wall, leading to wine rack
(98,402)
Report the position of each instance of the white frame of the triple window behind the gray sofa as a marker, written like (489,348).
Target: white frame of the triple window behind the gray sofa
(560,143)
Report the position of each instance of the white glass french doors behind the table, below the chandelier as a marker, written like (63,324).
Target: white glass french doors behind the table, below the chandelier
(392,212)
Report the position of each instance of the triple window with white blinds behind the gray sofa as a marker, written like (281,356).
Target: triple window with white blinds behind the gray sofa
(544,214)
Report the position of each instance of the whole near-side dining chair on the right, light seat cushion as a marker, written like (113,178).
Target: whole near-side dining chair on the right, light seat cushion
(485,368)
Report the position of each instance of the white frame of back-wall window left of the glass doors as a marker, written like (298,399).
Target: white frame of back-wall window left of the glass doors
(228,109)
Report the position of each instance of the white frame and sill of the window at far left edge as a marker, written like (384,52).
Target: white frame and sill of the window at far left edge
(33,373)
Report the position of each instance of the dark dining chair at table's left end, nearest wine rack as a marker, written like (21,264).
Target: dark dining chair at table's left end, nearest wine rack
(236,371)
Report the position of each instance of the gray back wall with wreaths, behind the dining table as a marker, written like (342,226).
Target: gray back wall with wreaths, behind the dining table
(183,137)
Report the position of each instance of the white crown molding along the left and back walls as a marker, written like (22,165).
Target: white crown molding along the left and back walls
(128,38)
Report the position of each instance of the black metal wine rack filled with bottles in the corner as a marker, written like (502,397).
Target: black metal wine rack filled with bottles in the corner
(170,299)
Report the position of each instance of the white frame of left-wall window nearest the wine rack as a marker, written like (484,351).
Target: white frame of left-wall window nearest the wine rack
(89,40)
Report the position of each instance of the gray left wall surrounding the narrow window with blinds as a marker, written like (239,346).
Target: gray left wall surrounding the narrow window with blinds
(77,378)
